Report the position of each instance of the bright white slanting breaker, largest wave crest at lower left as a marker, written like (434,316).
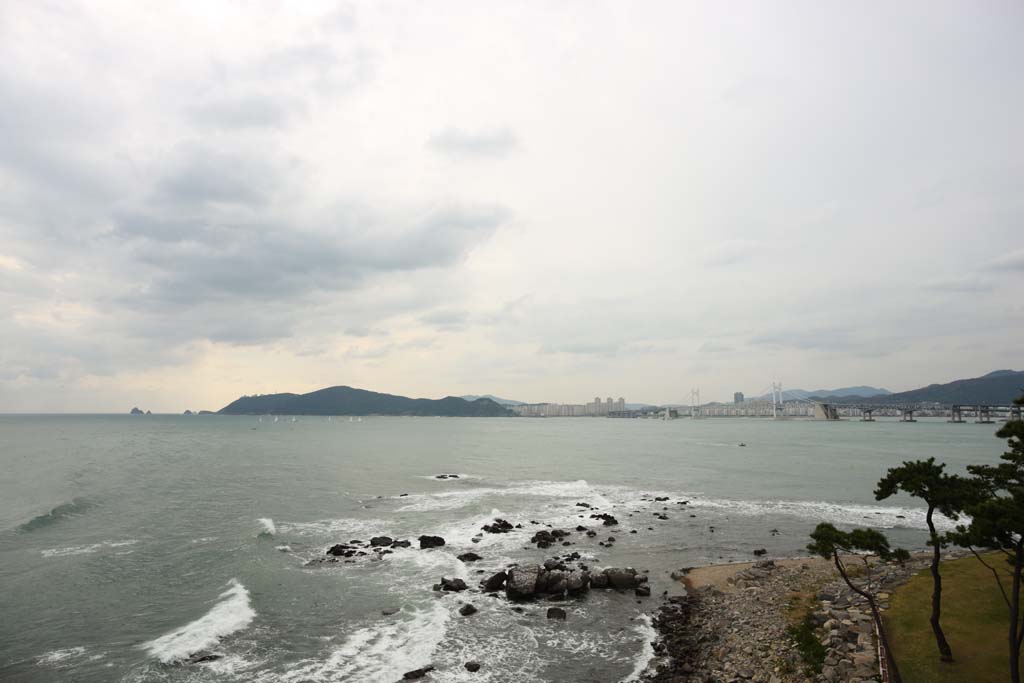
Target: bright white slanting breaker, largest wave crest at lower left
(233,613)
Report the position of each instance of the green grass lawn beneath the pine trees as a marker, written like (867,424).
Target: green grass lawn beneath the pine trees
(974,618)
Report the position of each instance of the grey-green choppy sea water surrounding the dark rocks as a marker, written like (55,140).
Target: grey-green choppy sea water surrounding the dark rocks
(129,544)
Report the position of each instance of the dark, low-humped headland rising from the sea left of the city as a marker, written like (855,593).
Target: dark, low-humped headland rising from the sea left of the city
(347,401)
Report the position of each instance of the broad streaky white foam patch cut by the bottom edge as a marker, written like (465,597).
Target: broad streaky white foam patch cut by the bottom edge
(379,653)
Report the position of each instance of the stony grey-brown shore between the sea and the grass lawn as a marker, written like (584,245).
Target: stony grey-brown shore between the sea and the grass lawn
(745,628)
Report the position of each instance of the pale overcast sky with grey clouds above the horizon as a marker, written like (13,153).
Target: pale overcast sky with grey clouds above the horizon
(544,201)
